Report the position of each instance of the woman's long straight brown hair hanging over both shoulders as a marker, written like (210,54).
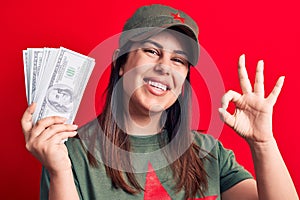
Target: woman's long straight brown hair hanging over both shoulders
(188,168)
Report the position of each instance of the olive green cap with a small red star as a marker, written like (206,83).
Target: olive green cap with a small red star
(150,20)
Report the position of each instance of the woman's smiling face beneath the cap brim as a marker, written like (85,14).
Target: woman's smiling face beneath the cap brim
(155,71)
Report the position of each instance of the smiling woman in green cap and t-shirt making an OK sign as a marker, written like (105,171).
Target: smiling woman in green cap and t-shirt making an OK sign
(141,146)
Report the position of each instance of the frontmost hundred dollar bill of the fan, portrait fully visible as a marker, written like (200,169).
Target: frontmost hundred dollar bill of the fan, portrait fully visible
(62,84)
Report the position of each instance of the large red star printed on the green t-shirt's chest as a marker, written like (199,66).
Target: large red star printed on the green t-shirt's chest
(155,190)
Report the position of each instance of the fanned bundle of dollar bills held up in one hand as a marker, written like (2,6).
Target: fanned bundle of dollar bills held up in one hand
(56,79)
